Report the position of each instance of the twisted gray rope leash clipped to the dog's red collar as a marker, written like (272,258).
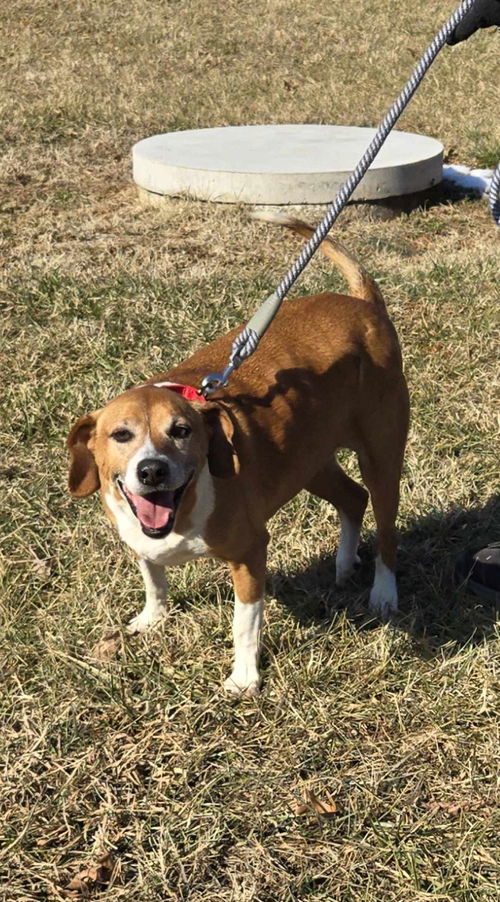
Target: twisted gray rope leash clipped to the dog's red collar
(247,341)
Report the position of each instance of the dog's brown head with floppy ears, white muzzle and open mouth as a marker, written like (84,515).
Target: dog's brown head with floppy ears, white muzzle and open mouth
(147,448)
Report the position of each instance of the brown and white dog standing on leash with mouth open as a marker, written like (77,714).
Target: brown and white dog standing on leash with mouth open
(184,479)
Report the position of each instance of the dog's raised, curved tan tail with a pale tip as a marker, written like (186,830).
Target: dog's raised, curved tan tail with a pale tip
(361,284)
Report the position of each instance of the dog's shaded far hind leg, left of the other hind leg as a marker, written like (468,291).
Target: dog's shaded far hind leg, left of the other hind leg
(350,499)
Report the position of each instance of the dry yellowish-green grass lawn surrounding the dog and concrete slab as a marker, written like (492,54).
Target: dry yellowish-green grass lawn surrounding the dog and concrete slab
(395,728)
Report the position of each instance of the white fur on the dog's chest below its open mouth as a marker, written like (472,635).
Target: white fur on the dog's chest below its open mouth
(176,548)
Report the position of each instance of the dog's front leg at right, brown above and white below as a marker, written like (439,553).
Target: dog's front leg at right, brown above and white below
(248,580)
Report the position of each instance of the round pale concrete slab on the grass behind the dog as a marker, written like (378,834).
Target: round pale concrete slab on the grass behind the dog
(282,164)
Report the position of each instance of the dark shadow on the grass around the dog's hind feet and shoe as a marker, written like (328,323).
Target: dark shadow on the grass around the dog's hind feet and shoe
(434,610)
